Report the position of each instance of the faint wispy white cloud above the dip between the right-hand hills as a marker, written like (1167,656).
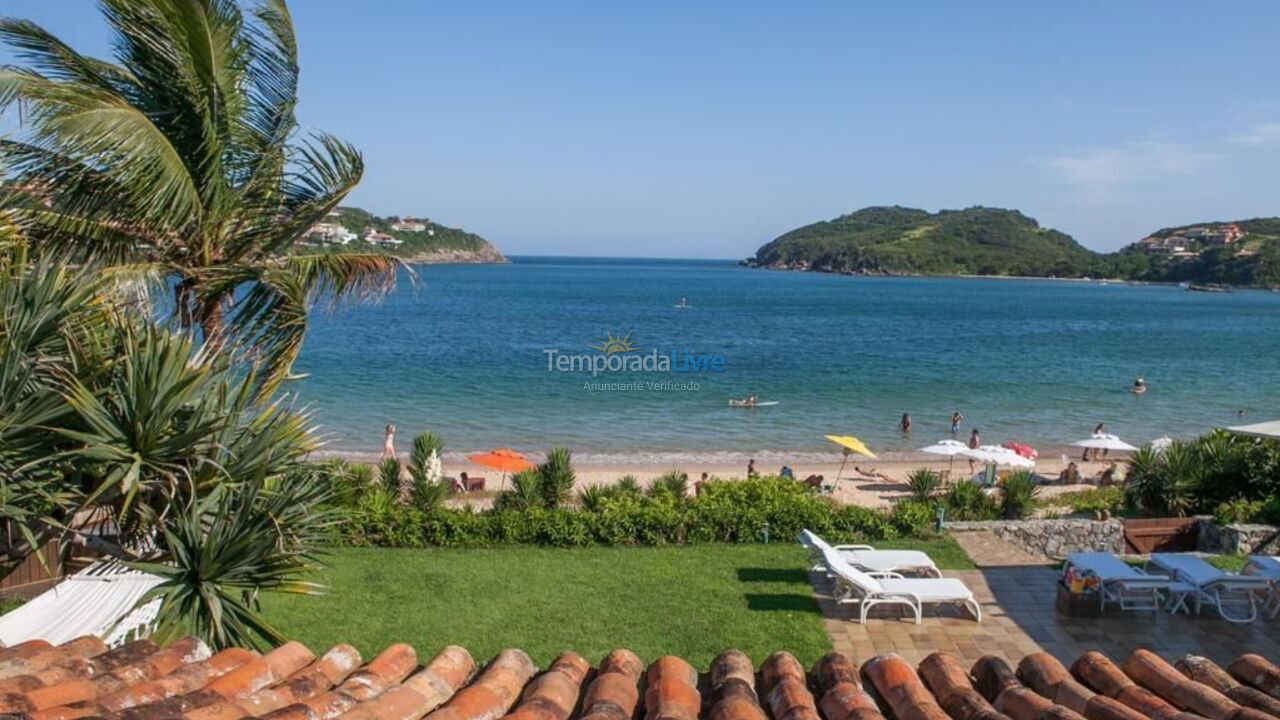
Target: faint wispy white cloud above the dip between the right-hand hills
(1101,170)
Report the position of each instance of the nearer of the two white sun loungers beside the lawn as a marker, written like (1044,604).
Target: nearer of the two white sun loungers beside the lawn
(870,590)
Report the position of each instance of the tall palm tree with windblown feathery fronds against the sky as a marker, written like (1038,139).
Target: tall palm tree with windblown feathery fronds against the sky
(181,161)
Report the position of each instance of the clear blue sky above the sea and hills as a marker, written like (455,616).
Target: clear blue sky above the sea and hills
(675,129)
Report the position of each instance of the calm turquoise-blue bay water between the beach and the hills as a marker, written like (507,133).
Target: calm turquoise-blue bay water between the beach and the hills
(463,353)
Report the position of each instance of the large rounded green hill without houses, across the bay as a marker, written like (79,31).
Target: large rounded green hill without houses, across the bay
(980,241)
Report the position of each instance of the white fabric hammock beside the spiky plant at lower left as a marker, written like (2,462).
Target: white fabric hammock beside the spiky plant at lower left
(97,601)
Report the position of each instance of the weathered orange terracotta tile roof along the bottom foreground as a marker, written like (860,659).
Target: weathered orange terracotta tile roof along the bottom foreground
(143,682)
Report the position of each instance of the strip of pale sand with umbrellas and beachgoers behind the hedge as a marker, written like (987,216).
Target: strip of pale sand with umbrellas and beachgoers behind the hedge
(854,487)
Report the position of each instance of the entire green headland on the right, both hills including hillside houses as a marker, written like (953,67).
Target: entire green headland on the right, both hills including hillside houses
(993,241)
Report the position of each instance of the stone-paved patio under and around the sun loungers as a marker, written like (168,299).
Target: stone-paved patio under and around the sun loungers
(1020,619)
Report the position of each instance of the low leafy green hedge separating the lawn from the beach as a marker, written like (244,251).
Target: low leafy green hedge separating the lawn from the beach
(739,512)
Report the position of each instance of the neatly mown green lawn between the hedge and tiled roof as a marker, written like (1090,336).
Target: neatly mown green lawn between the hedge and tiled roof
(691,601)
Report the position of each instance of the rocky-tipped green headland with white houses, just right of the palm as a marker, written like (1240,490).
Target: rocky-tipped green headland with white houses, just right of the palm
(415,240)
